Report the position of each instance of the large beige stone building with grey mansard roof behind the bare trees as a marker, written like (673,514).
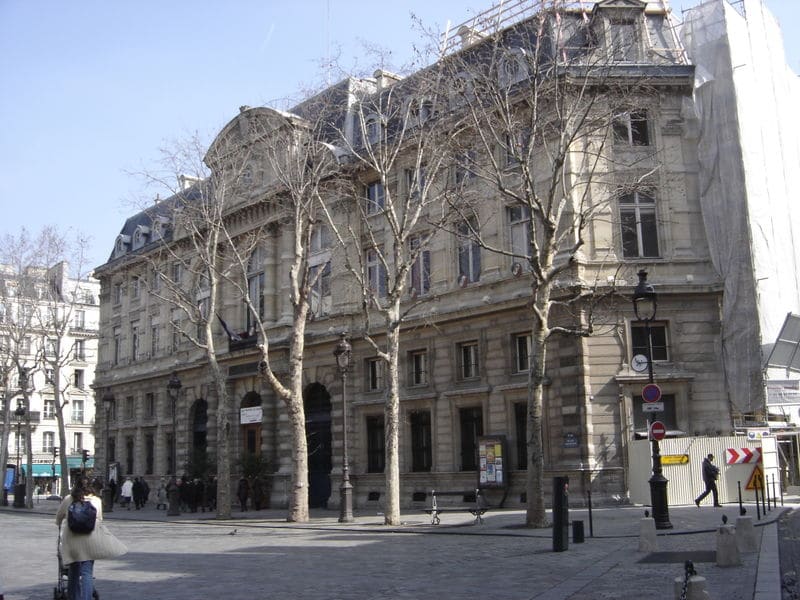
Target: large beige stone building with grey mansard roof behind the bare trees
(466,348)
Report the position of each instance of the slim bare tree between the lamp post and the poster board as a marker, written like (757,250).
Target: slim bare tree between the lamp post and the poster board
(400,153)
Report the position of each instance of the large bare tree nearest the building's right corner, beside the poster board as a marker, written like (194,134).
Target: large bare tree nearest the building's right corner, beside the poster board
(542,100)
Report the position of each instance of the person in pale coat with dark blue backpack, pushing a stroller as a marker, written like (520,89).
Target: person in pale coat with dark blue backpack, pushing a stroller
(80,550)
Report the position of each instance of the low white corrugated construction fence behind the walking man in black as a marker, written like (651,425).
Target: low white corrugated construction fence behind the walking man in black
(686,480)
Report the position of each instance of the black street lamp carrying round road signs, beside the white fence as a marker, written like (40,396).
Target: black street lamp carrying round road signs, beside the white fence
(644,306)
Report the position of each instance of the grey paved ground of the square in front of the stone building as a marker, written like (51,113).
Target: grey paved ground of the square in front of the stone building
(259,555)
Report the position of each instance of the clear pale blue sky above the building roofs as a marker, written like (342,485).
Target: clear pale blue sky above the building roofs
(90,90)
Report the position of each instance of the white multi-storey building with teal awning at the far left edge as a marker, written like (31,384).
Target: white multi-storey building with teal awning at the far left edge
(48,318)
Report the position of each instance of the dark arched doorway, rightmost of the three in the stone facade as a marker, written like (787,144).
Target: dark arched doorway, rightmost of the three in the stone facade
(317,402)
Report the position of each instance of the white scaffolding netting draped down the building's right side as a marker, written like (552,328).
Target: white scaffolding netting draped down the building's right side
(748,148)
